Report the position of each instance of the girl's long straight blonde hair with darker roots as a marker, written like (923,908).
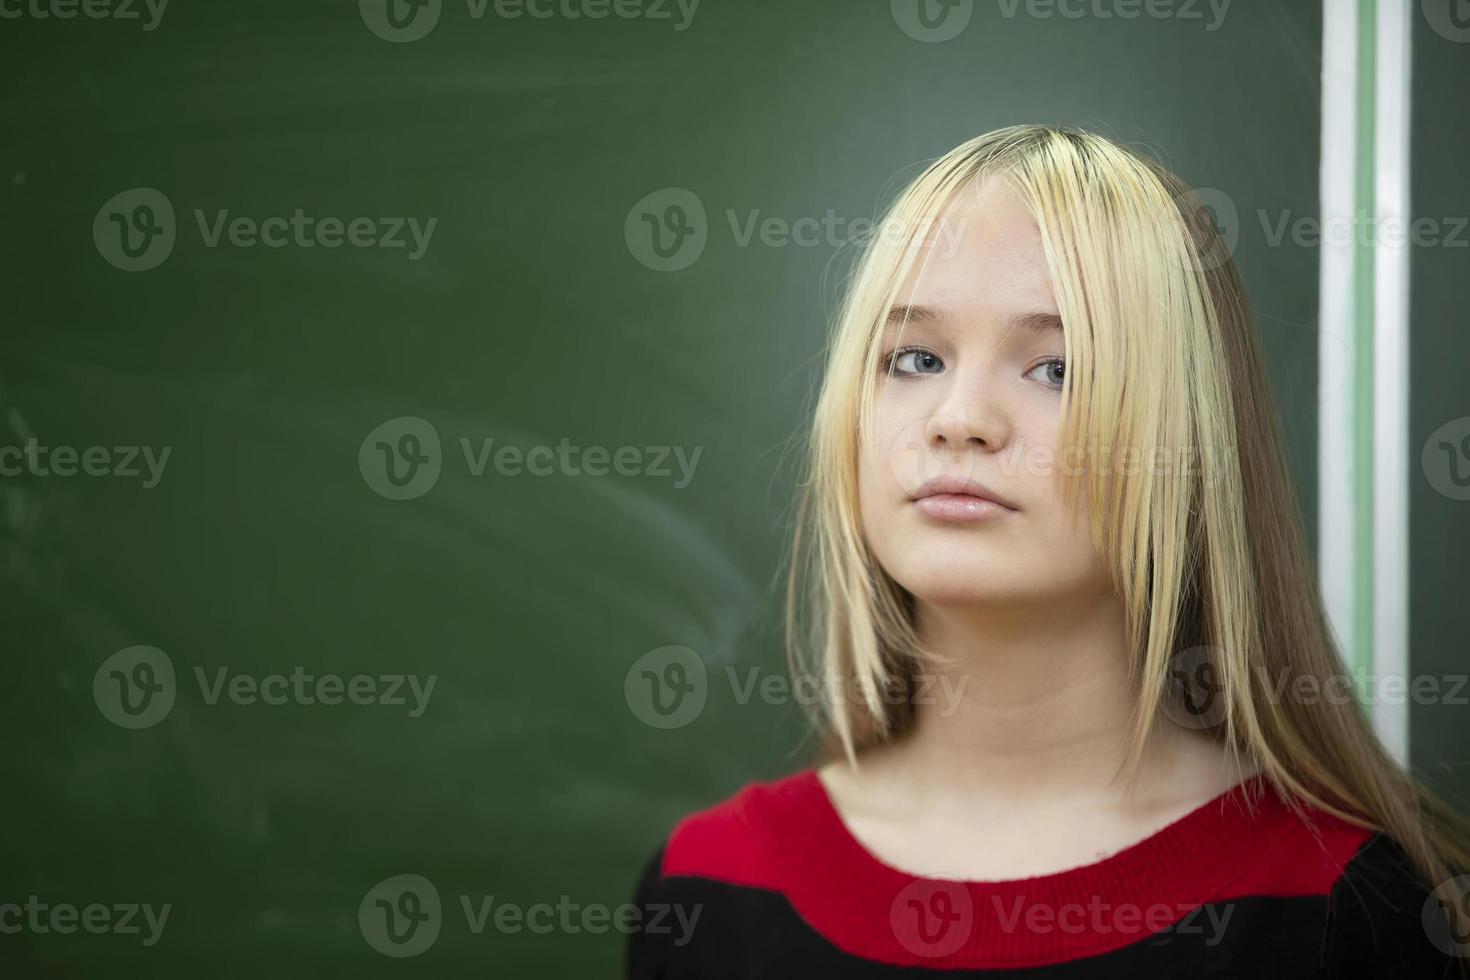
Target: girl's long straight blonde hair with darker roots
(1212,559)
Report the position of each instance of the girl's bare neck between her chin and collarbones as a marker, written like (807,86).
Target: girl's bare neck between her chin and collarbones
(1037,707)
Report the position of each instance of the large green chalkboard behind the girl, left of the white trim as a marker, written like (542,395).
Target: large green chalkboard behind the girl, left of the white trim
(351,350)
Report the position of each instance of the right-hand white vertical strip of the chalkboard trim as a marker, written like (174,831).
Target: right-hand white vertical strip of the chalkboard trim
(1393,464)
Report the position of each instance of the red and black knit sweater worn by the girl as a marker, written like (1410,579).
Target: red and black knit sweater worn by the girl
(771,884)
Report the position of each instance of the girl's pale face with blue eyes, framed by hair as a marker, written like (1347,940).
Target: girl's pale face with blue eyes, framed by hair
(971,411)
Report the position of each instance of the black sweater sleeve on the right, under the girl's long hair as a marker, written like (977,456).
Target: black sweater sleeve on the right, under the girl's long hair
(1383,922)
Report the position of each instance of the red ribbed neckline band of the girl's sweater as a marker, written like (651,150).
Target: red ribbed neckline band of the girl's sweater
(1219,851)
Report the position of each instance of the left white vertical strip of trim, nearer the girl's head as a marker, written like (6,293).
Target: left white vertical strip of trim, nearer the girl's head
(1335,552)
